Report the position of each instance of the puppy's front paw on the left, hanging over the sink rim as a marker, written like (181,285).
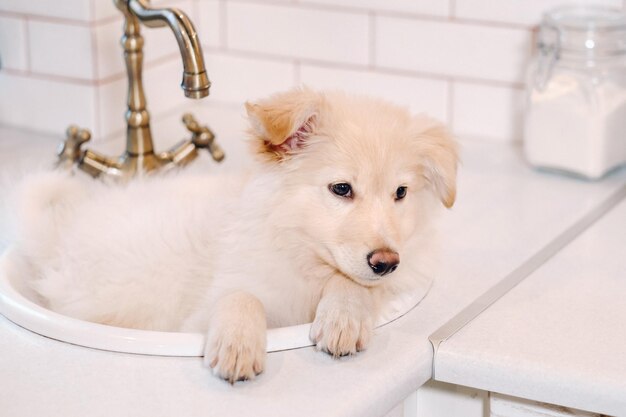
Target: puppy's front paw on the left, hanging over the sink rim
(234,355)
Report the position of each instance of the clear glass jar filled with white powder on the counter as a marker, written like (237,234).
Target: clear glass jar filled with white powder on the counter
(575,119)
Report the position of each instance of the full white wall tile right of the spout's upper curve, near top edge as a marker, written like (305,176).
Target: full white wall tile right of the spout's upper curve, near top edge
(299,32)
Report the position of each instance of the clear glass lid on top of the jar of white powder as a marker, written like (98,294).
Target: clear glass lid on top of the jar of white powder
(584,30)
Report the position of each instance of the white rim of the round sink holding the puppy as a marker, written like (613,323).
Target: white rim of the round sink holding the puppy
(19,304)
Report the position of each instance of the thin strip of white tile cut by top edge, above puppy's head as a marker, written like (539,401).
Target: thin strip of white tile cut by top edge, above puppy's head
(426,7)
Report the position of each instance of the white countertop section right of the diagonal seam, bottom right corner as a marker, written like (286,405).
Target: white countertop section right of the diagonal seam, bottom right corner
(560,335)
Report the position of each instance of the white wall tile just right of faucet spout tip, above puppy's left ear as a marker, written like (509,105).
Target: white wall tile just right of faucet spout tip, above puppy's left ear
(238,79)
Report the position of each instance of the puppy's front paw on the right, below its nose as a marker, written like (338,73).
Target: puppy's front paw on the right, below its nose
(341,332)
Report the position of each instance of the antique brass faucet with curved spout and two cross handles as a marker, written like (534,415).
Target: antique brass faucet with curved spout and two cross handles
(139,157)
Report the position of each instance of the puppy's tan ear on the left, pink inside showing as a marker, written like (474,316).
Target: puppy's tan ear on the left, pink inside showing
(281,124)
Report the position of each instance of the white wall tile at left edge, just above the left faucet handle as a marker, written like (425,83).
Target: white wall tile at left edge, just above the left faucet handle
(45,105)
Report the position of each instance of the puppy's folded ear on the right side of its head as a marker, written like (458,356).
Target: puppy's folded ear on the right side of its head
(439,158)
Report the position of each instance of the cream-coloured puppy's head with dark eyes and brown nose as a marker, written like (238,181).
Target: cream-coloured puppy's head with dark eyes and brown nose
(360,175)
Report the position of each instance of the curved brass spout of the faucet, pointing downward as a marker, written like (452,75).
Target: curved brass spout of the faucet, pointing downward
(195,82)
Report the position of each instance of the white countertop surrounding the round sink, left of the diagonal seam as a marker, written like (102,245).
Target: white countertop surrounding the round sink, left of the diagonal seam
(504,213)
